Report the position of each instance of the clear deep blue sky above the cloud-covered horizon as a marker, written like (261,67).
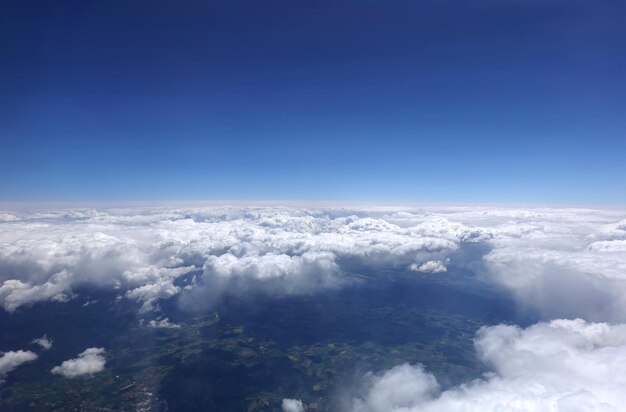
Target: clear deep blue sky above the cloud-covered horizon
(423,101)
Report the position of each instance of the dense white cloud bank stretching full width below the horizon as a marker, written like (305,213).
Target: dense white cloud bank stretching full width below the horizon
(560,262)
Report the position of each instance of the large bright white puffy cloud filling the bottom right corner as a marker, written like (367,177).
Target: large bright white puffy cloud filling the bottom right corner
(563,365)
